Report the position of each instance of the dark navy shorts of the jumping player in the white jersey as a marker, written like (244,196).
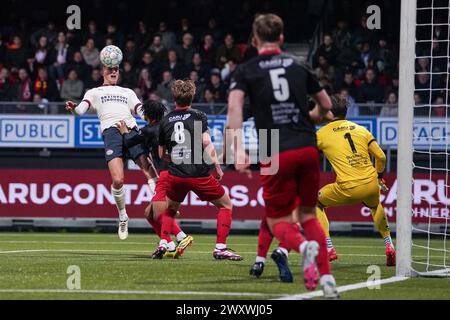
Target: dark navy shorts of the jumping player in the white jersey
(115,146)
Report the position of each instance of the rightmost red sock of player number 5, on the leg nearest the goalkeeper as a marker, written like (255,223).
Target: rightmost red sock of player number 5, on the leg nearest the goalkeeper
(314,231)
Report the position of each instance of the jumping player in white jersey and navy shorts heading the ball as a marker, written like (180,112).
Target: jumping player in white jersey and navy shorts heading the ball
(113,104)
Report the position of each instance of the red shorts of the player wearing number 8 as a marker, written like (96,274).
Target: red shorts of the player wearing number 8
(206,188)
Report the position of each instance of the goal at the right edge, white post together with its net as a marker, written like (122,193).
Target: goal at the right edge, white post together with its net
(423,218)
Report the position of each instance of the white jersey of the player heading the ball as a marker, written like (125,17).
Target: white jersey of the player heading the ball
(113,104)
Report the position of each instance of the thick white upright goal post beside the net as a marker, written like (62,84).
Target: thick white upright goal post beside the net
(405,134)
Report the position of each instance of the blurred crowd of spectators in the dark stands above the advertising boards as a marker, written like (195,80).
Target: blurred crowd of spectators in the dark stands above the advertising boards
(54,64)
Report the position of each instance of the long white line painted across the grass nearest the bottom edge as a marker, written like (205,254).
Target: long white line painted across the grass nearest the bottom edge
(141,292)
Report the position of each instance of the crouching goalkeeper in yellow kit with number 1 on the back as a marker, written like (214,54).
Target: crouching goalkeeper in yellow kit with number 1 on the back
(348,146)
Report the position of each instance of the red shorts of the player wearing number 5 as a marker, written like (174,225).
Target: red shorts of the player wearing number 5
(297,181)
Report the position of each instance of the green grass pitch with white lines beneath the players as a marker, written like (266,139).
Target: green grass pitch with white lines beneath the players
(34,266)
